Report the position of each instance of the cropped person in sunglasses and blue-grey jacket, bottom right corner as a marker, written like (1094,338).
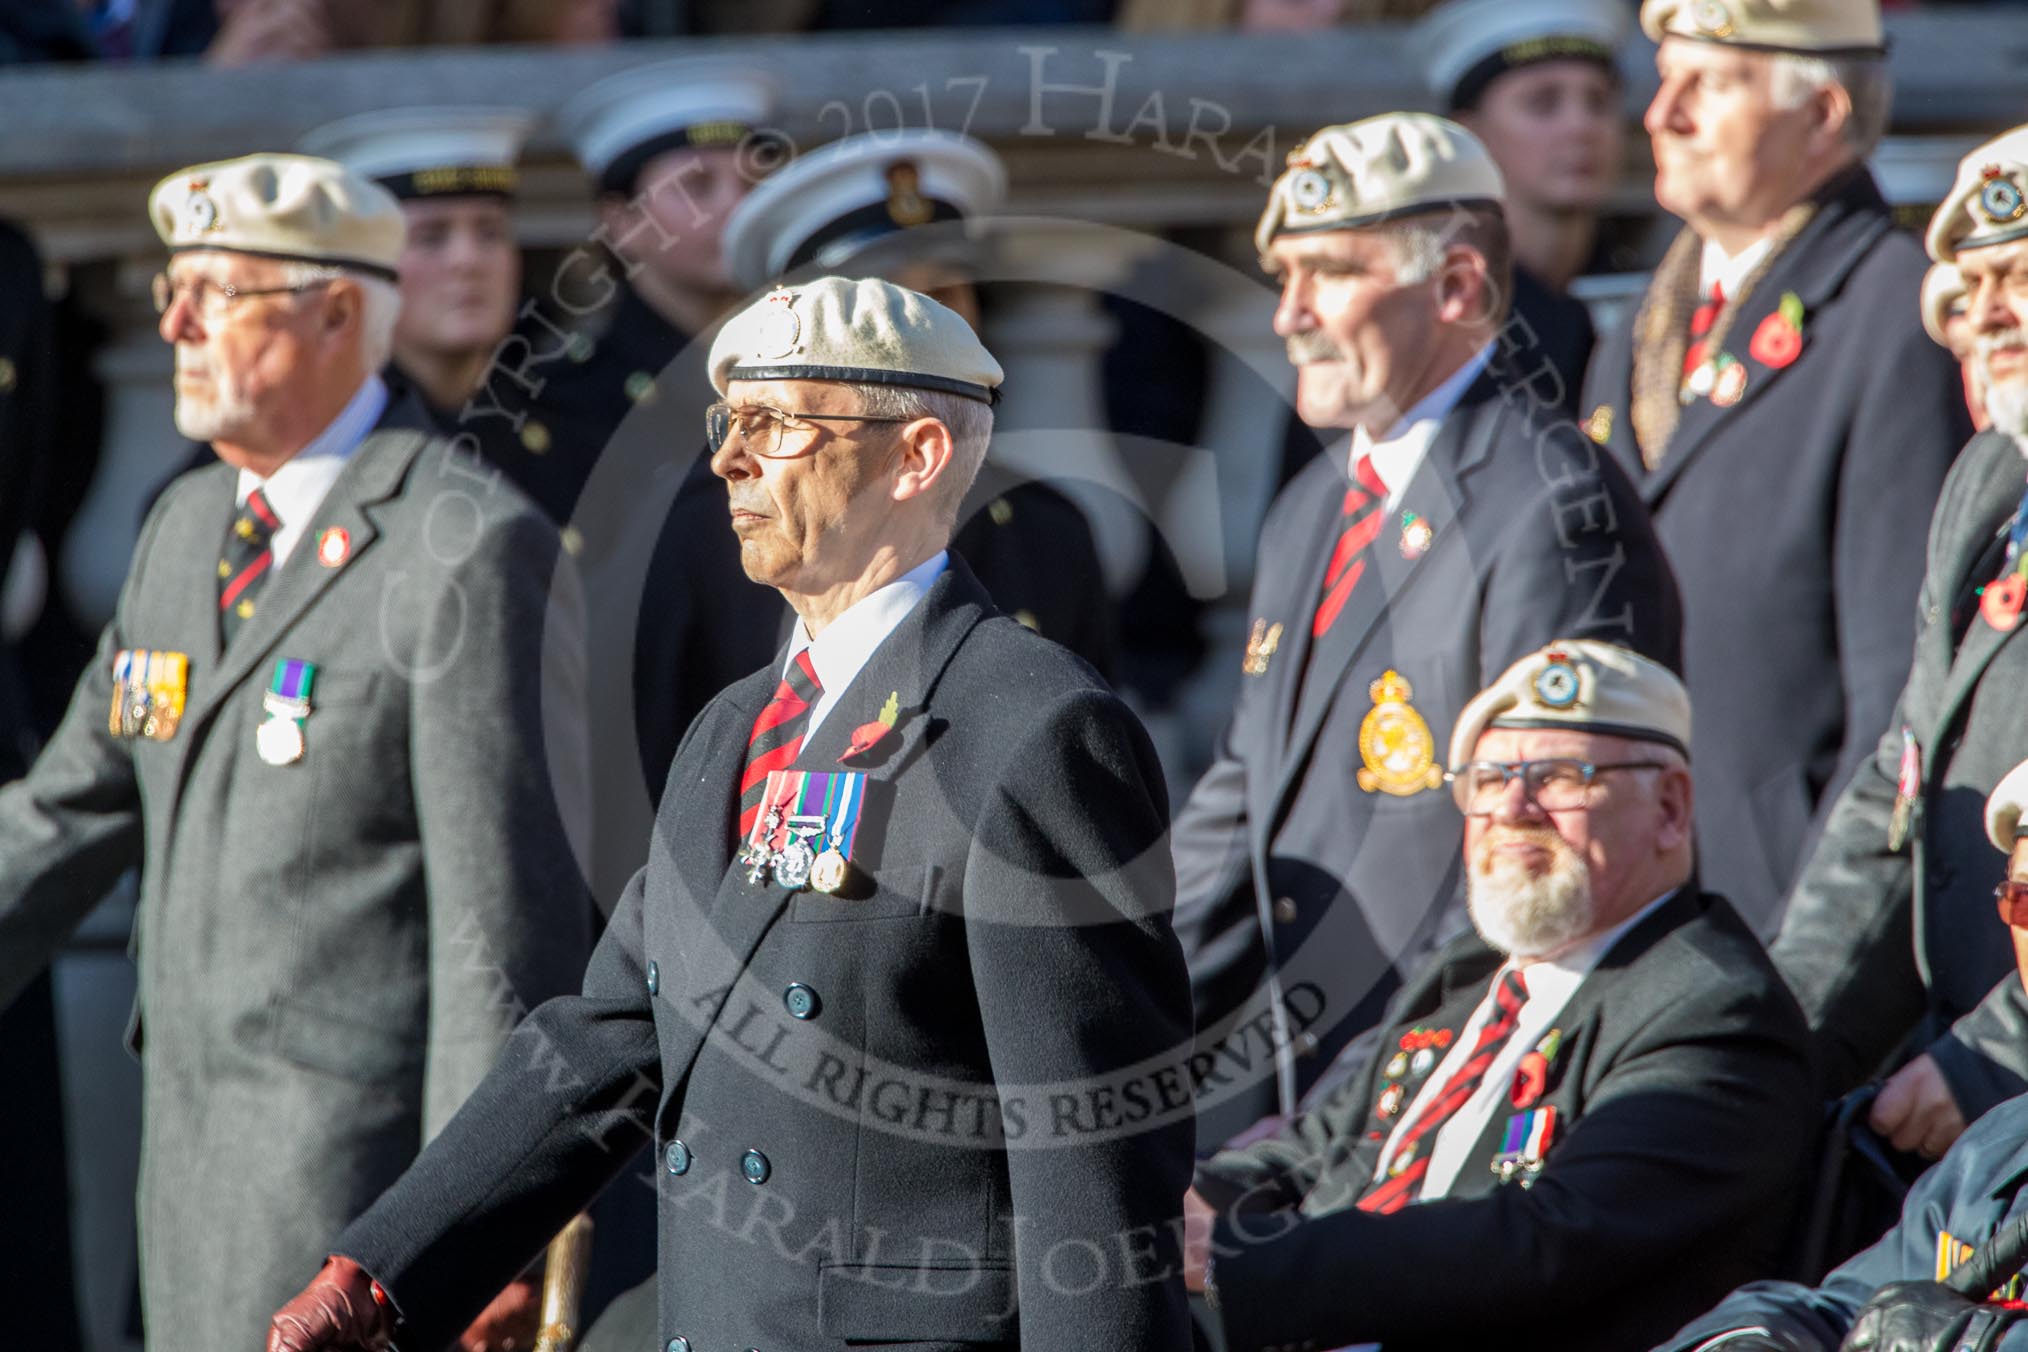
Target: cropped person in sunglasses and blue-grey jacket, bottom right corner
(1970,1201)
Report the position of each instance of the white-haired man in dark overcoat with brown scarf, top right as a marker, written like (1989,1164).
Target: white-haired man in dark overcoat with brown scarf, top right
(1782,412)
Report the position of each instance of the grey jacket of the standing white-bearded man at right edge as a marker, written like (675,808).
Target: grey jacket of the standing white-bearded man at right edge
(1891,944)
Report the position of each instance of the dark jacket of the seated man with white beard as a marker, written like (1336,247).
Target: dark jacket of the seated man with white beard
(1676,1083)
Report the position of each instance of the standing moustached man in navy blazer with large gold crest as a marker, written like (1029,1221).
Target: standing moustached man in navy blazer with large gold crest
(1457,526)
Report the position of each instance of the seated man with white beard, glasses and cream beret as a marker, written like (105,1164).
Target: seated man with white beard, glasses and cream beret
(1585,1120)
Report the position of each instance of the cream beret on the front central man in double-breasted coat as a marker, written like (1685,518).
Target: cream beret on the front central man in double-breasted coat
(867,331)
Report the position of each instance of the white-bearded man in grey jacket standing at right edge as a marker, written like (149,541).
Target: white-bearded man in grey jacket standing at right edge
(1885,940)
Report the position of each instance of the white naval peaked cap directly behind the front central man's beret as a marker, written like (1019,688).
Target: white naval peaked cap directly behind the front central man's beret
(835,204)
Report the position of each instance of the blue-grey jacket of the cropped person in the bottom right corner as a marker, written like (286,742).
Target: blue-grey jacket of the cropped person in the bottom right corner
(1976,1191)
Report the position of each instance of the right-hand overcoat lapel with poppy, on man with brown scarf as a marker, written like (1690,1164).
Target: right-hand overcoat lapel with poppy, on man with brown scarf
(1814,267)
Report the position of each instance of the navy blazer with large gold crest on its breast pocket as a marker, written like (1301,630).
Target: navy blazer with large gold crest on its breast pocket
(1317,860)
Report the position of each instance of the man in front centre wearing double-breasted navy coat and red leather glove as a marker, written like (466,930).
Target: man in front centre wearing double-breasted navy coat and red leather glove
(895,994)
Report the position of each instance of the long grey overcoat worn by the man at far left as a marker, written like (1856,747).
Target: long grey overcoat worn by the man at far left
(330,952)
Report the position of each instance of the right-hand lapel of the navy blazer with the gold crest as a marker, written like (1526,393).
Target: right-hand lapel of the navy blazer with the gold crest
(1437,496)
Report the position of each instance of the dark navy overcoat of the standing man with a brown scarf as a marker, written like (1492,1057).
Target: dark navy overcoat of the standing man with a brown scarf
(1794,506)
